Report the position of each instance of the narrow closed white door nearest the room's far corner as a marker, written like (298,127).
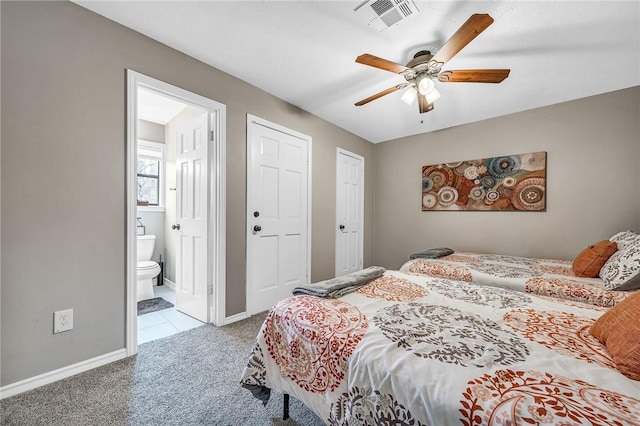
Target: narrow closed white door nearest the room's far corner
(349,212)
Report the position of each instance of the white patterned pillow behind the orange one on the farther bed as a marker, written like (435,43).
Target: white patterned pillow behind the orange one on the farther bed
(622,270)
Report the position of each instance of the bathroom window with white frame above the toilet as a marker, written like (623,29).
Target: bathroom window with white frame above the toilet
(150,174)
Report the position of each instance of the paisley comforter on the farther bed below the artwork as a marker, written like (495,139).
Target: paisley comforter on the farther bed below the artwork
(546,277)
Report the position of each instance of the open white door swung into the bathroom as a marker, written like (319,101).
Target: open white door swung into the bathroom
(192,178)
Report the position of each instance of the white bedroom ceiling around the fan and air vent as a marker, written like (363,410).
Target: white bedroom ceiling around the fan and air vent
(304,53)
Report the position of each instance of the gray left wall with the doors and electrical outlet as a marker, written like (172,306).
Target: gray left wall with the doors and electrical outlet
(63,177)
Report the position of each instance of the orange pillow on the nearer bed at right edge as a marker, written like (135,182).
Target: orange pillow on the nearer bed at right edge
(619,330)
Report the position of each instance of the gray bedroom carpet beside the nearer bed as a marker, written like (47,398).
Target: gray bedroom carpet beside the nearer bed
(191,378)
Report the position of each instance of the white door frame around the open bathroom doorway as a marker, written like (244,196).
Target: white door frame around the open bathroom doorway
(217,199)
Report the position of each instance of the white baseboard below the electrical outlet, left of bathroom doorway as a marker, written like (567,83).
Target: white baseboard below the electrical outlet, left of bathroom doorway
(61,373)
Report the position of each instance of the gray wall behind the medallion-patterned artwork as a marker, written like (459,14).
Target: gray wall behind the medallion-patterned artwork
(593,176)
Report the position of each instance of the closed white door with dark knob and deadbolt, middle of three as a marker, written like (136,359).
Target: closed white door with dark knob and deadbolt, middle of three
(277,213)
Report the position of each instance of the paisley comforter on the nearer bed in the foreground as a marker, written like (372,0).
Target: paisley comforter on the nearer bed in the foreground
(414,350)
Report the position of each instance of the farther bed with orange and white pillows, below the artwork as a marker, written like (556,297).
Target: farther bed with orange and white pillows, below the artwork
(602,285)
